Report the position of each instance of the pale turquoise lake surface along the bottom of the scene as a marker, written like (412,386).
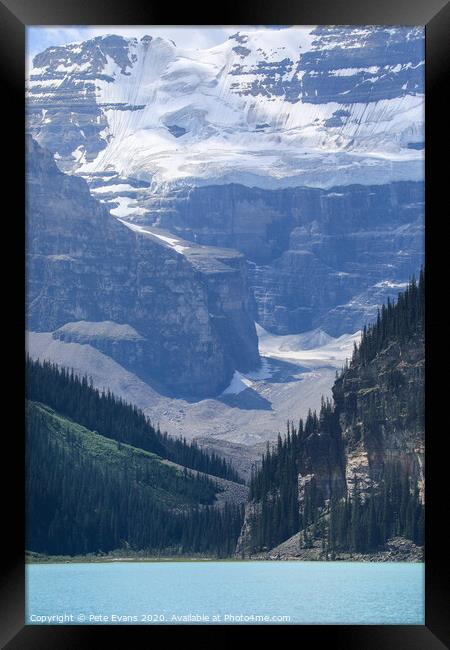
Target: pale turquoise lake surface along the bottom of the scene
(152,593)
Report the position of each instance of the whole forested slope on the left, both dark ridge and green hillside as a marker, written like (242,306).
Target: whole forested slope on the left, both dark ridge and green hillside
(97,490)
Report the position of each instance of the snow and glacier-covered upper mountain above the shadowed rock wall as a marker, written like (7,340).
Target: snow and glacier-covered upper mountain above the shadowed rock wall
(303,106)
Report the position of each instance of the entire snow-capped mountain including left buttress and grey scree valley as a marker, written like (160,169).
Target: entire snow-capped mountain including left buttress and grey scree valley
(301,149)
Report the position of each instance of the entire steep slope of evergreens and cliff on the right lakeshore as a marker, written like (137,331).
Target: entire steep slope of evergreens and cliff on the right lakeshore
(351,477)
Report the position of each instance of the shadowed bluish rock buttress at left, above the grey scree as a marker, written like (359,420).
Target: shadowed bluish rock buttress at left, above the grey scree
(188,323)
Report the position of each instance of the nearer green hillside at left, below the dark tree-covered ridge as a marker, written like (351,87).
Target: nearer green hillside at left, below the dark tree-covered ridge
(87,493)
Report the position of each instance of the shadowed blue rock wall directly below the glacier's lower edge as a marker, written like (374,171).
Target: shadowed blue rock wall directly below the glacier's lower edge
(316,258)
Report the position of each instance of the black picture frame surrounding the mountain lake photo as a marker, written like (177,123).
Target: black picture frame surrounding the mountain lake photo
(15,15)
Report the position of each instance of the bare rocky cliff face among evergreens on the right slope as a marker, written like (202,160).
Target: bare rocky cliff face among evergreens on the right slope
(381,406)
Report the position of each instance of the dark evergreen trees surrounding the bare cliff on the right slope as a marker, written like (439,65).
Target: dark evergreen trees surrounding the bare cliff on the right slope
(365,519)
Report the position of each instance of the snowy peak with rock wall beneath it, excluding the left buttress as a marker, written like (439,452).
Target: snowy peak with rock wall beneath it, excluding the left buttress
(302,148)
